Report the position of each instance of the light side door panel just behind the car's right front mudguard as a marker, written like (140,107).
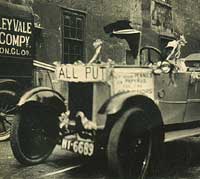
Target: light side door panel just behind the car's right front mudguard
(171,91)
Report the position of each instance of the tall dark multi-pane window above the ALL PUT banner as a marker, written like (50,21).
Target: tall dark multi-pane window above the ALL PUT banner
(73,36)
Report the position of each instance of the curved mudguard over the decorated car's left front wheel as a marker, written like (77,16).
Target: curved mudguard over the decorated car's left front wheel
(45,96)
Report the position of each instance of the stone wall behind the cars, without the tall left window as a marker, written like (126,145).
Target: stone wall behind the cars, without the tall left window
(153,21)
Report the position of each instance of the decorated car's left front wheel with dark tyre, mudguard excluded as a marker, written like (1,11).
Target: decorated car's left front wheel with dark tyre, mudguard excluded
(32,139)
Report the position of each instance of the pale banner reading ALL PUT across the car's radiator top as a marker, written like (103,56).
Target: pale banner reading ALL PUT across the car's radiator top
(81,73)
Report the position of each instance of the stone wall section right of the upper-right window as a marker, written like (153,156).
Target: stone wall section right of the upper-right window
(187,21)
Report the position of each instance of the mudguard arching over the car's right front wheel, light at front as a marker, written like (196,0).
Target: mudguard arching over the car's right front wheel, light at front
(123,101)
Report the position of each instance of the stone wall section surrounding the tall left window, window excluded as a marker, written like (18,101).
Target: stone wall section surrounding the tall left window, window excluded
(98,14)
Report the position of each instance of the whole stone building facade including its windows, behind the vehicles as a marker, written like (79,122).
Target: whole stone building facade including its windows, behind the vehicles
(66,29)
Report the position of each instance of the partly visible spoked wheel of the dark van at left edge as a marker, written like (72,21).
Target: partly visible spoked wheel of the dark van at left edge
(8,102)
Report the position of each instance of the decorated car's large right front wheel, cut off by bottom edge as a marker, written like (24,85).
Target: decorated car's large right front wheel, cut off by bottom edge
(129,146)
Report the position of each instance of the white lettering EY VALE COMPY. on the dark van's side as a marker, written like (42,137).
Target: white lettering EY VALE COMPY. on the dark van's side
(16,37)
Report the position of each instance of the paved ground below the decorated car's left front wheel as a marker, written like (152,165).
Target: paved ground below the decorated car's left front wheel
(60,165)
